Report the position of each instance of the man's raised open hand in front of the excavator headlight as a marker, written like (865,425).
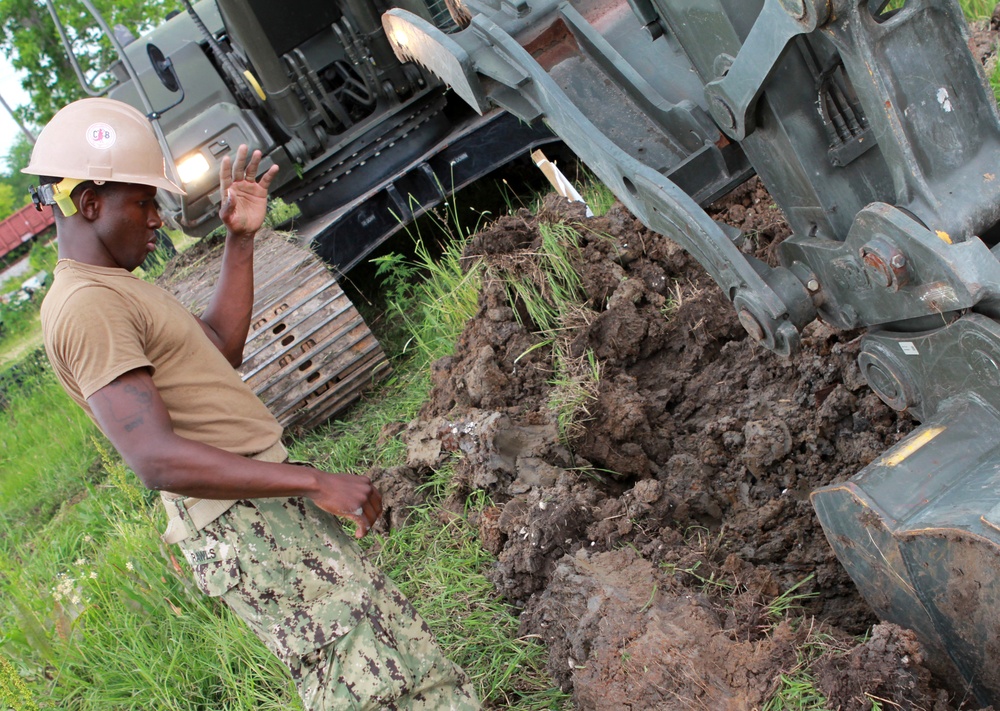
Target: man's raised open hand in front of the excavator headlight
(244,199)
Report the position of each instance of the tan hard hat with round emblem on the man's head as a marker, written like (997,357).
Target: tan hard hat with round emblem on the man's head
(103,140)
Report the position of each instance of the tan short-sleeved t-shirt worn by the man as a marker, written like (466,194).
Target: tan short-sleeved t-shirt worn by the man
(101,322)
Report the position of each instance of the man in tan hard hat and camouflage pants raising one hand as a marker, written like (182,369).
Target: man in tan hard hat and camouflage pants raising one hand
(161,384)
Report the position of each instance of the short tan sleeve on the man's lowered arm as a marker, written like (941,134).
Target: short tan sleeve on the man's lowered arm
(97,336)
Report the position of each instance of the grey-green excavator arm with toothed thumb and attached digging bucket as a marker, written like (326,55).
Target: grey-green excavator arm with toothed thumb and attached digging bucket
(877,134)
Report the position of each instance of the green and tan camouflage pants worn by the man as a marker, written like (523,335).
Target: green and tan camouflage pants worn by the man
(348,636)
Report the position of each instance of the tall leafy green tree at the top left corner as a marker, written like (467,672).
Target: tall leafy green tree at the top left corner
(28,37)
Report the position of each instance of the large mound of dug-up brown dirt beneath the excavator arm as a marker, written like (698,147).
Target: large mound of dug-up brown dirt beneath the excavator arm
(648,470)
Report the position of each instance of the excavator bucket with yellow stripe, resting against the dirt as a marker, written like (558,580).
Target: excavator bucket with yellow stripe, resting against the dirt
(919,532)
